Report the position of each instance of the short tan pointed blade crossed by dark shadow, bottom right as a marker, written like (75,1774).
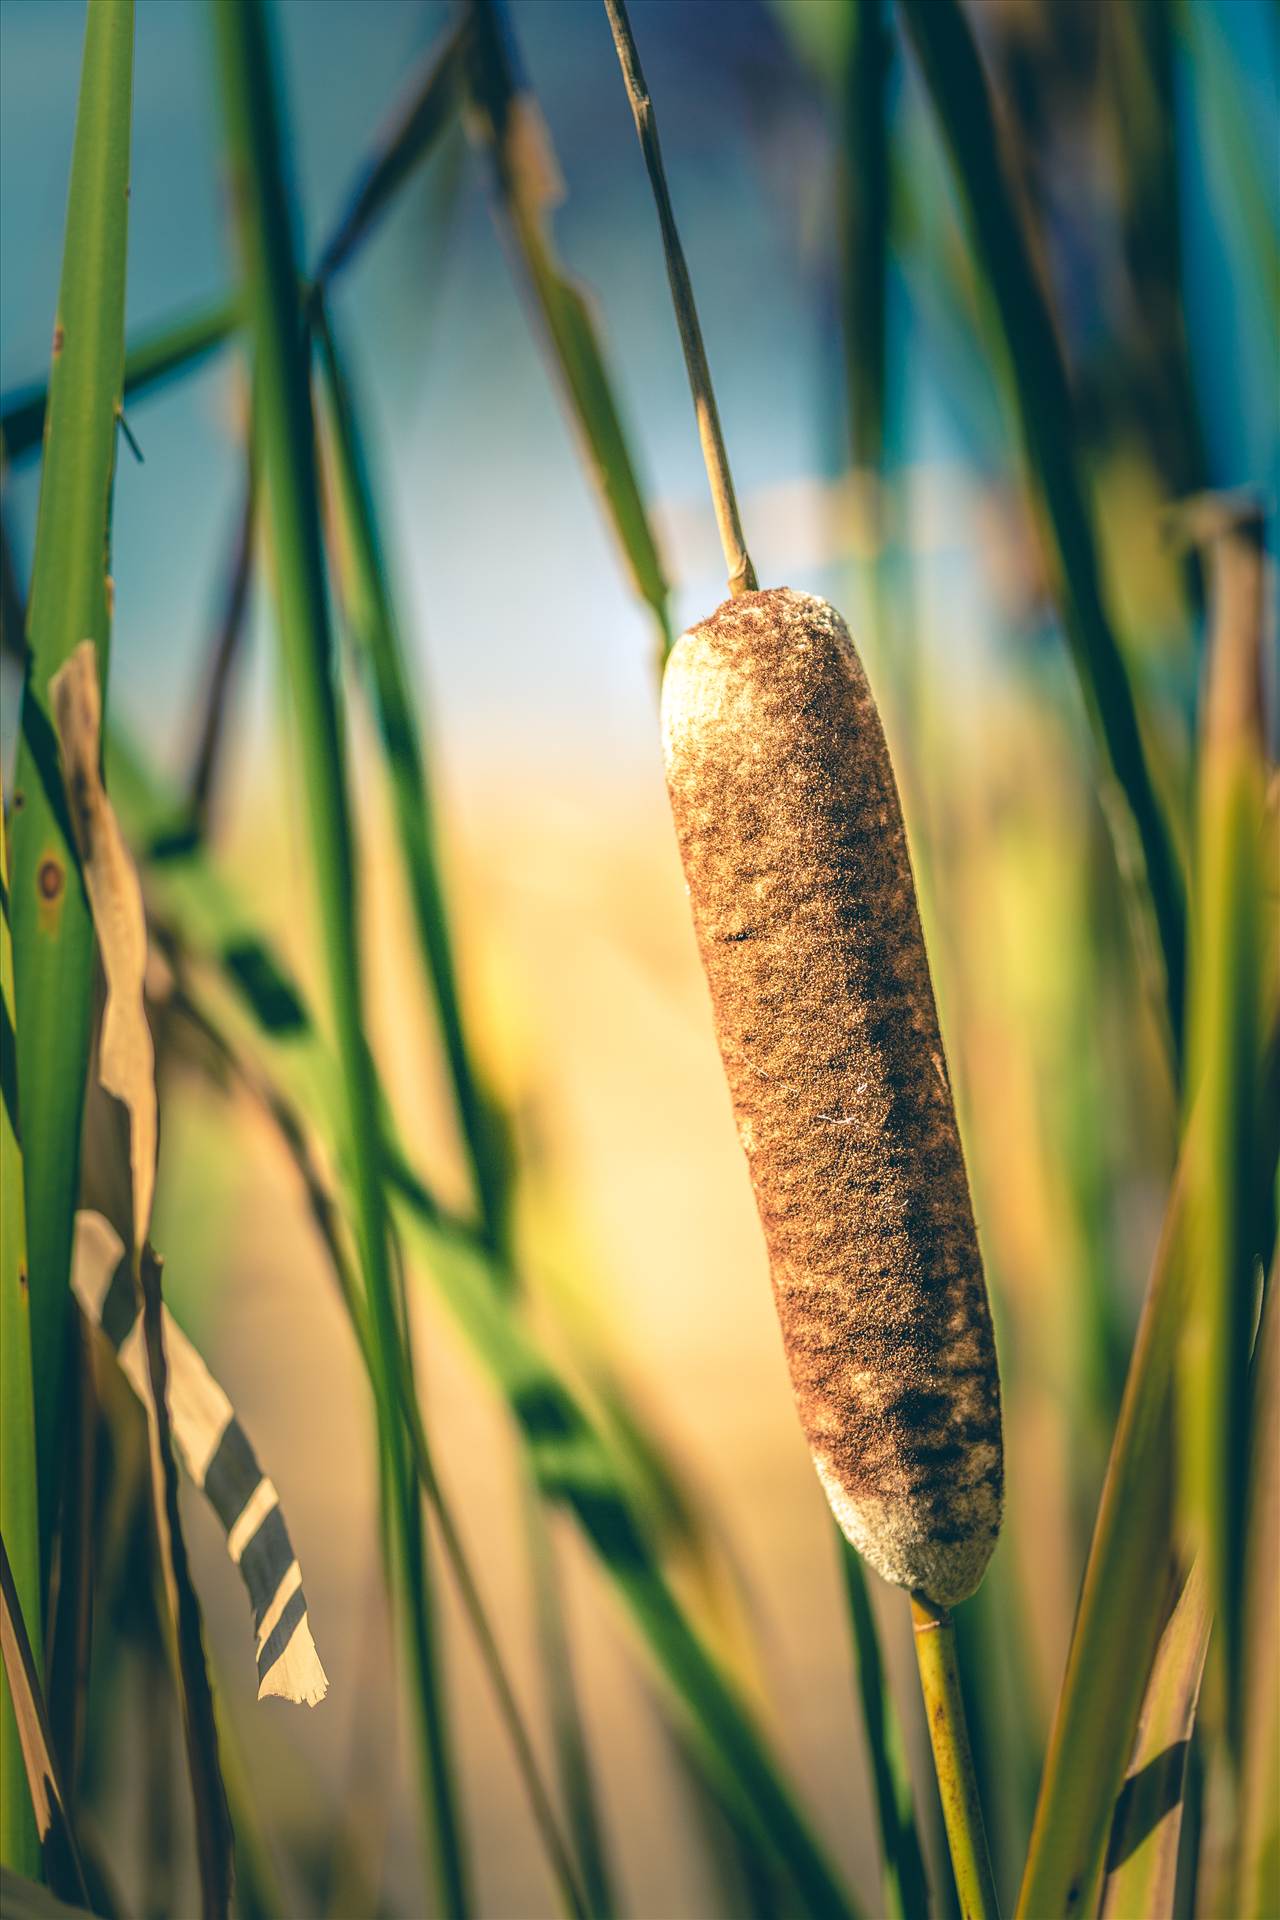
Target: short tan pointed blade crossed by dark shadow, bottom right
(1147,1829)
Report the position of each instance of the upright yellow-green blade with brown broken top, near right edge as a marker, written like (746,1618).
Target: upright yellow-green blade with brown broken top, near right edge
(1225,1042)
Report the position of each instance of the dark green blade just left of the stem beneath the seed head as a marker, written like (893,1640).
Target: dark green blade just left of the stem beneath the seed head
(905,1884)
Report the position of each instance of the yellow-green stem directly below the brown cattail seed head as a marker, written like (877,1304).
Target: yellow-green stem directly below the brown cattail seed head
(945,1710)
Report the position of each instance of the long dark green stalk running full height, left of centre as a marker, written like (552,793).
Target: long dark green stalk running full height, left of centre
(293,502)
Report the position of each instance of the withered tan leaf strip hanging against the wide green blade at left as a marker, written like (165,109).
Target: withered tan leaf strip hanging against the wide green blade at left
(126,1051)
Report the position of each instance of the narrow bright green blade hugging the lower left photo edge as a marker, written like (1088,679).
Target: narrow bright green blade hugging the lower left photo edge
(20,1508)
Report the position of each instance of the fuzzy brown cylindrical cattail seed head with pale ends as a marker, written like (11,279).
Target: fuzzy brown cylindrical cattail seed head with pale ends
(805,909)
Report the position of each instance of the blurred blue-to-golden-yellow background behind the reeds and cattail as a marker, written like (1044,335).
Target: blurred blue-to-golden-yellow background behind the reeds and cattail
(878,464)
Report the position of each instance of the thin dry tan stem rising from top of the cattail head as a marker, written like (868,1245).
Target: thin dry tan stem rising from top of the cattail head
(738,560)
